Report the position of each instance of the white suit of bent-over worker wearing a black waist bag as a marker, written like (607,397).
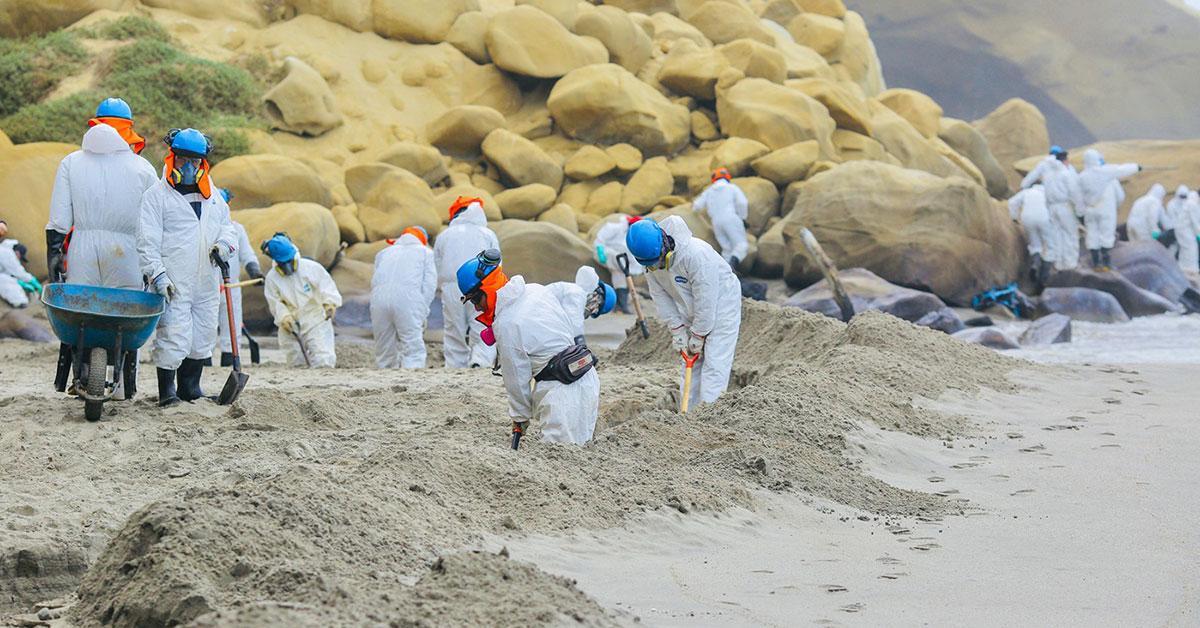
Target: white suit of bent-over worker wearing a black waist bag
(535,324)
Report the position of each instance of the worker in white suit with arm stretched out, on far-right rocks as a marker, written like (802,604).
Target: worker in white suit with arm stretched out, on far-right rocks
(1103,195)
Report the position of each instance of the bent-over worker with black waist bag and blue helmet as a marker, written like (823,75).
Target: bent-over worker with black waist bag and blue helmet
(538,332)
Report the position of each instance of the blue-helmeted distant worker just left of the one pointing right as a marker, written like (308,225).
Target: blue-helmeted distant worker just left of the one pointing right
(1065,199)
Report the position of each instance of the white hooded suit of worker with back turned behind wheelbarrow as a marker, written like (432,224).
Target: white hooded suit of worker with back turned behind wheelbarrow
(98,193)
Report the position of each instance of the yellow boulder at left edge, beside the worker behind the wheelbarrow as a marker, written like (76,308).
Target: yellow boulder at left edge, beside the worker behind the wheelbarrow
(27,181)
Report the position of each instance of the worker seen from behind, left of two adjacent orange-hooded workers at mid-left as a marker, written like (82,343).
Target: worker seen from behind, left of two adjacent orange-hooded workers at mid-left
(403,289)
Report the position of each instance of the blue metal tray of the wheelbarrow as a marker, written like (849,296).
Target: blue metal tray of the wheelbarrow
(94,316)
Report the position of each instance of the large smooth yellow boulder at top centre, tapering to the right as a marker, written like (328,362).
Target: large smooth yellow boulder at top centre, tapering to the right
(530,43)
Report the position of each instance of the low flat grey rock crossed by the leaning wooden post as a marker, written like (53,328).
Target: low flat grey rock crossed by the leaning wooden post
(867,291)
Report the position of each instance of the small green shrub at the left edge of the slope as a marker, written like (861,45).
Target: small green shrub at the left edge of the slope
(32,68)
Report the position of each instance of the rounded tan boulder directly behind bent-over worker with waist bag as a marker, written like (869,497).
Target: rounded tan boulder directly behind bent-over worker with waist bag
(543,253)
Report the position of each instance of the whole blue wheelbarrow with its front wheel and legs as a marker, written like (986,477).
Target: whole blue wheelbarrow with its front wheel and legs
(103,327)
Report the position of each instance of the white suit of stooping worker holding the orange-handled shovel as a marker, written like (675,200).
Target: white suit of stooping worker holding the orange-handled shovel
(700,292)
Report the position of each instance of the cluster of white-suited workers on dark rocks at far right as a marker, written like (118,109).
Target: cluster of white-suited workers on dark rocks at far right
(1055,198)
